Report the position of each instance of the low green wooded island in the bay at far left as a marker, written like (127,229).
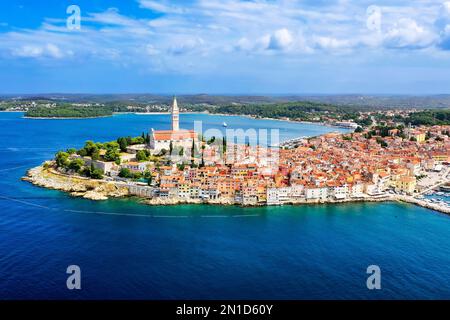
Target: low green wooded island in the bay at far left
(69,111)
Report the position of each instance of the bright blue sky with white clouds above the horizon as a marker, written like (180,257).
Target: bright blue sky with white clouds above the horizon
(226,47)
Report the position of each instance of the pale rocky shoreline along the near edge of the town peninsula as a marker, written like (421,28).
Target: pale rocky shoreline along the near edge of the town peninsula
(102,190)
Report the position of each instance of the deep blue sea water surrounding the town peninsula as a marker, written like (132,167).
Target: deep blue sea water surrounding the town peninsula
(131,251)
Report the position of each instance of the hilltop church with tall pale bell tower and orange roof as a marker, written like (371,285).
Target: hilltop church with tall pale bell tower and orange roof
(160,139)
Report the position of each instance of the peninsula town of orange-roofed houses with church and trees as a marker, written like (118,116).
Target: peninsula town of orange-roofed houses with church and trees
(384,161)
